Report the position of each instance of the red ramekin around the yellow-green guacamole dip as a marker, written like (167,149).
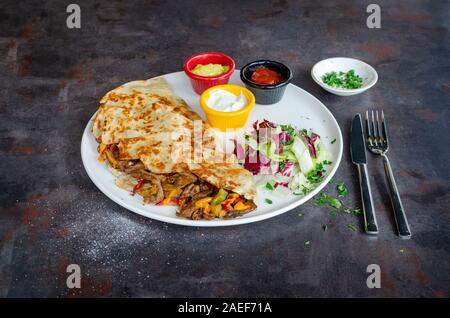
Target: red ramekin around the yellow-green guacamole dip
(202,83)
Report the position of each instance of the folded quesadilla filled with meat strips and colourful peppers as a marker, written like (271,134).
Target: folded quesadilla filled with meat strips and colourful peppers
(159,148)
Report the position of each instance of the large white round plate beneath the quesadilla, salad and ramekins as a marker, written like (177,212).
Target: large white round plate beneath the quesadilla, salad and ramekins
(297,107)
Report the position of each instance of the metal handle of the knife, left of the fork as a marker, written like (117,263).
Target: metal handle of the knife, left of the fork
(370,221)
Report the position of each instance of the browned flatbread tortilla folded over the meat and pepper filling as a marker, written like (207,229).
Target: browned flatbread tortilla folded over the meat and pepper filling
(148,122)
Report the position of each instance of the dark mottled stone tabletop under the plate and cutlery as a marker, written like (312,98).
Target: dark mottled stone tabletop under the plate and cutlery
(52,215)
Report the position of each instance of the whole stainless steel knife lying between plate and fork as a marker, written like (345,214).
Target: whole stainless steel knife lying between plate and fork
(359,158)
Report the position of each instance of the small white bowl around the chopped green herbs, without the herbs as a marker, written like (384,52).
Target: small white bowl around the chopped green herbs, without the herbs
(344,64)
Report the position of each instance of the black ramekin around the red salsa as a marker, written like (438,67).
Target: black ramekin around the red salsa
(266,94)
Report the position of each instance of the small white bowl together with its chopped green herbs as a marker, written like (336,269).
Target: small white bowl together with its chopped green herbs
(344,76)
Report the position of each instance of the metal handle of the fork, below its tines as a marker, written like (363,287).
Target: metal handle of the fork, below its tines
(399,211)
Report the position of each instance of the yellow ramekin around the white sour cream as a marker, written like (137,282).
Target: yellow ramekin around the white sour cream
(228,120)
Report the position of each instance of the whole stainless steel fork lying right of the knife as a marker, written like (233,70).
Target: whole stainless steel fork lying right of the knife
(377,142)
